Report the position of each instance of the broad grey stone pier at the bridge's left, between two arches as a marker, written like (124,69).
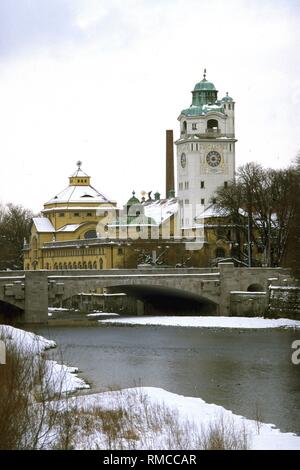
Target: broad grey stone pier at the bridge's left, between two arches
(36,297)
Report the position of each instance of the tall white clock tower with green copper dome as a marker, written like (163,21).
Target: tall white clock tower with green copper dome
(205,149)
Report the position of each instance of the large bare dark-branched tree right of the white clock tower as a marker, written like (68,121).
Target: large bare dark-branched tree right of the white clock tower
(260,205)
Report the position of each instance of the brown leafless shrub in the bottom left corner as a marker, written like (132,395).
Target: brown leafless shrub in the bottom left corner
(29,417)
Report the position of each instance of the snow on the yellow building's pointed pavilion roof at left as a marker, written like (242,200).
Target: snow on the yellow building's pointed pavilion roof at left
(79,194)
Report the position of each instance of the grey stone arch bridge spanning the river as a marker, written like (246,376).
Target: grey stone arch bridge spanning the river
(30,292)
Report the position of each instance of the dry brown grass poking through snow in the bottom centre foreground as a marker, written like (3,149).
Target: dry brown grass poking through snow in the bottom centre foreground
(133,422)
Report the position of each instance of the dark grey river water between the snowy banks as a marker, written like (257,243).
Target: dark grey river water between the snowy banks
(249,372)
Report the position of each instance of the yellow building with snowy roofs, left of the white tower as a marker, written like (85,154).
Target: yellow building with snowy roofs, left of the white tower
(80,228)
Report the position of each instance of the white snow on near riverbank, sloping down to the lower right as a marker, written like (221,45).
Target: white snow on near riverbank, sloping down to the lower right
(261,436)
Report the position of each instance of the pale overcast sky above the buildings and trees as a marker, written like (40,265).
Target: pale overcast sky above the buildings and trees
(101,80)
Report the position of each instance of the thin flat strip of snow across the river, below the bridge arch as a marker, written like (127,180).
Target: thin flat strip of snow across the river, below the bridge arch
(208,322)
